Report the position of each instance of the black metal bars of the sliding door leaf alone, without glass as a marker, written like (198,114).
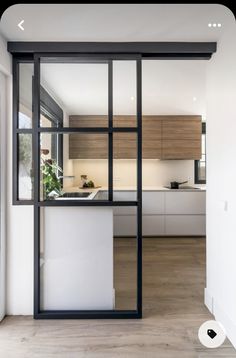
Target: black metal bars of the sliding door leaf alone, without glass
(37,130)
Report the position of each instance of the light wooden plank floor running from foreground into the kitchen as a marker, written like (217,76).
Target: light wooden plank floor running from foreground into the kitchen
(174,280)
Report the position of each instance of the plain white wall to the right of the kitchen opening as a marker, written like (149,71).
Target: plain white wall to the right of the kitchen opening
(220,295)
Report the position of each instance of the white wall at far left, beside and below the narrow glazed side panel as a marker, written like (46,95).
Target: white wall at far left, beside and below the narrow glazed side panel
(19,260)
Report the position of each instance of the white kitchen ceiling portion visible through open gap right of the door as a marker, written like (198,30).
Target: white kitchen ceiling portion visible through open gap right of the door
(174,87)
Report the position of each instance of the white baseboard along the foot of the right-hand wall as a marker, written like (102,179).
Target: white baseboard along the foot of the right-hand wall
(220,315)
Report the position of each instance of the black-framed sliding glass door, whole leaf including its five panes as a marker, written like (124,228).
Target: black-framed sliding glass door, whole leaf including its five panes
(78,271)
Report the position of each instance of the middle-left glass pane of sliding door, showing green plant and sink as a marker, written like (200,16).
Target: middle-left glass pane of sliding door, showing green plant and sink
(73,165)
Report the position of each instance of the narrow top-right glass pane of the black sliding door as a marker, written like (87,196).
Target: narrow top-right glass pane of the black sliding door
(124,94)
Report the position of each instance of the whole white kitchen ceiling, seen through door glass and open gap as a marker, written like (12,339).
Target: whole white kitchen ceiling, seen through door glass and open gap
(168,87)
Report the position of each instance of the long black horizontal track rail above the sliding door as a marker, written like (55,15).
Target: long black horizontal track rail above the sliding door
(152,50)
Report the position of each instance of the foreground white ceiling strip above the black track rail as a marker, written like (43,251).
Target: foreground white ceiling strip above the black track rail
(115,22)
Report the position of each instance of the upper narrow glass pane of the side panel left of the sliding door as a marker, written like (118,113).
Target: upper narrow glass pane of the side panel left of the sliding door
(25,95)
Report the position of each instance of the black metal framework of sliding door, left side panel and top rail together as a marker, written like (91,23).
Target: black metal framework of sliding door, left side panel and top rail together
(26,51)
